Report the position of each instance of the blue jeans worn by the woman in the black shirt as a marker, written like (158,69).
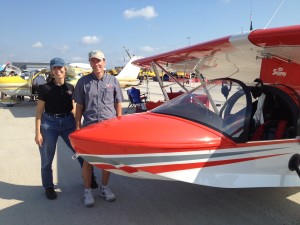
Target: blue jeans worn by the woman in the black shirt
(51,128)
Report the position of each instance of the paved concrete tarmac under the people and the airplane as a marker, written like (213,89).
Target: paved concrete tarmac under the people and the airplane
(139,202)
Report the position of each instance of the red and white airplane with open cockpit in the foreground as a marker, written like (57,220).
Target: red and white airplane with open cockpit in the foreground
(239,129)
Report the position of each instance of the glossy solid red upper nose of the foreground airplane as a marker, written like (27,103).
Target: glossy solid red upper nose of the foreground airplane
(143,133)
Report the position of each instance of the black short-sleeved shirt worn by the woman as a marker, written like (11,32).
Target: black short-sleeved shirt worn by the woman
(58,99)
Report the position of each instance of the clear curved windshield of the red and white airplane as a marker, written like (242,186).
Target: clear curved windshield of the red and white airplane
(220,104)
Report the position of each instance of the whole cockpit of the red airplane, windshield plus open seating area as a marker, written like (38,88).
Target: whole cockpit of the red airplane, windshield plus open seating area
(252,112)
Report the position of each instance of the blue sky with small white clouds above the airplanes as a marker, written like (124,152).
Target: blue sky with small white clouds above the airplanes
(38,30)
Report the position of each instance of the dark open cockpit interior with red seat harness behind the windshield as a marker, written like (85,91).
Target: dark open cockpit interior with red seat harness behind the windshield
(276,117)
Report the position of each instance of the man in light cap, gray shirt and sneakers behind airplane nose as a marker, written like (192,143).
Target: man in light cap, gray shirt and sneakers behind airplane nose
(98,96)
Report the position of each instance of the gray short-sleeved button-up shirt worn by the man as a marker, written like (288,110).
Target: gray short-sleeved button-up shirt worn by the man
(98,97)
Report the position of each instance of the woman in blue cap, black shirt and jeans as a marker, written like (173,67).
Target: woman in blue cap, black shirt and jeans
(54,117)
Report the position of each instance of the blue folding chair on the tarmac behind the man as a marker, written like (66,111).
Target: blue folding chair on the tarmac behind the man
(136,99)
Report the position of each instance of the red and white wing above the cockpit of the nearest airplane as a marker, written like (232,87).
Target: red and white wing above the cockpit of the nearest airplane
(244,56)
